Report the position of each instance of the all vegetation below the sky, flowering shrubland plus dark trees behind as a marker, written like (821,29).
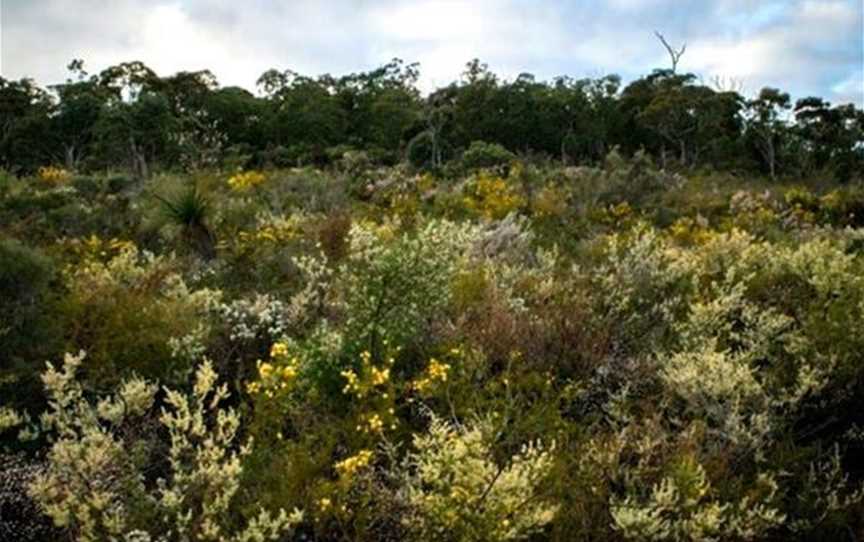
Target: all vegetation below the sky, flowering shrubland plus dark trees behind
(344,309)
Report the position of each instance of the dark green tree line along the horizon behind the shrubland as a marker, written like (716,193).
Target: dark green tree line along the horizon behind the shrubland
(129,117)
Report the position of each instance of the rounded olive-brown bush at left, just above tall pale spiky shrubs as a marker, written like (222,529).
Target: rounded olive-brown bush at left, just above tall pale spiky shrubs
(135,312)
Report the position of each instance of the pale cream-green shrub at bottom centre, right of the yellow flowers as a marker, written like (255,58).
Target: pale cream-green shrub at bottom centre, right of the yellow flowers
(459,492)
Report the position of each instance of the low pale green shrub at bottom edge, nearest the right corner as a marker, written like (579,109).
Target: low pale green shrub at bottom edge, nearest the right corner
(681,508)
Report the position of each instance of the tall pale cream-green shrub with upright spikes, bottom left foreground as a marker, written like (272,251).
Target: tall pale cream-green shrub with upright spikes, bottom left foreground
(93,483)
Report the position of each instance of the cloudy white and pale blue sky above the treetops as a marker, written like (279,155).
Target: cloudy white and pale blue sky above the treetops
(806,47)
